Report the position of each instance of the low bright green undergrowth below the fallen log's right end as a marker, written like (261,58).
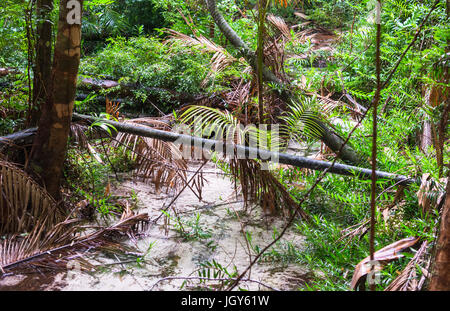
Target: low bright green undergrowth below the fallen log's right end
(340,203)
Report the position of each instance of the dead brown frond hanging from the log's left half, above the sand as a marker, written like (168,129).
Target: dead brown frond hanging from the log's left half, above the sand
(157,160)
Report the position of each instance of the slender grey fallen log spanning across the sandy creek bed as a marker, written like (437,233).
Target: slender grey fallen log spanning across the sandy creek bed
(262,154)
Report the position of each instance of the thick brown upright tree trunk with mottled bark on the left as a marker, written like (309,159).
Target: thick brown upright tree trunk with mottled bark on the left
(49,148)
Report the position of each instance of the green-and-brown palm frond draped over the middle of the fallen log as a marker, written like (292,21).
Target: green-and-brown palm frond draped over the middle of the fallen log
(257,185)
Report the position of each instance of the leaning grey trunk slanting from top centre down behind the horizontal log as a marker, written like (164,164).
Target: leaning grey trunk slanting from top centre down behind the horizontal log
(331,139)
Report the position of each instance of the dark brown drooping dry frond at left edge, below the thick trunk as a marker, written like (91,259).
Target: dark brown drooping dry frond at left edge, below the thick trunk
(24,203)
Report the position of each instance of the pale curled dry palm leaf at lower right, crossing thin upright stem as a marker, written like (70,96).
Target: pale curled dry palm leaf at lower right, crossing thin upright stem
(386,254)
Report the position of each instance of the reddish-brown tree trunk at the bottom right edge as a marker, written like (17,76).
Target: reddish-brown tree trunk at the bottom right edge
(440,280)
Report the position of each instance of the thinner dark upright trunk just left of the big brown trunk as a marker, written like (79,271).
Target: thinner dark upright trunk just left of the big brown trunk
(43,65)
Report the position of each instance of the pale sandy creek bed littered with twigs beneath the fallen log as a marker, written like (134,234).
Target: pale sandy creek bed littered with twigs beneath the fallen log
(173,256)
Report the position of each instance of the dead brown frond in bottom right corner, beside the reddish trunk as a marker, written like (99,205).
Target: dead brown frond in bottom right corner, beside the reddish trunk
(408,279)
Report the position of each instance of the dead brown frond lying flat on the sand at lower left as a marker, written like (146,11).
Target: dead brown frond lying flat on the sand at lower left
(55,248)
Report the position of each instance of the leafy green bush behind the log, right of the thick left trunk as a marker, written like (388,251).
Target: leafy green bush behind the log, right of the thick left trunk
(152,64)
